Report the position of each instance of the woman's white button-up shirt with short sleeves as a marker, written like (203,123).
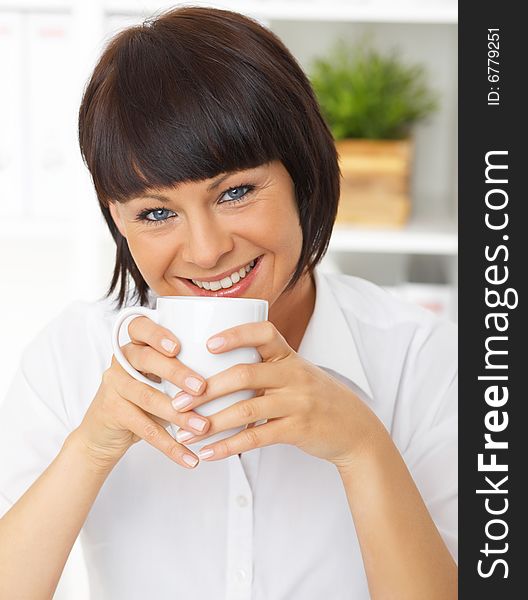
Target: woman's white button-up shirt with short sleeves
(274,524)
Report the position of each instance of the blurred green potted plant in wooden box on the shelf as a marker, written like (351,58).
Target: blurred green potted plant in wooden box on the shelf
(371,101)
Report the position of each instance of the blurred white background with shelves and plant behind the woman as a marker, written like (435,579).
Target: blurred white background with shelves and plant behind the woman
(397,224)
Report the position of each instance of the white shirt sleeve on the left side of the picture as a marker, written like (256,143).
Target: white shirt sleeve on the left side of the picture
(33,421)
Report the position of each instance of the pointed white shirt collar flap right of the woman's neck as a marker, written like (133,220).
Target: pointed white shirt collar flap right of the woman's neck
(328,341)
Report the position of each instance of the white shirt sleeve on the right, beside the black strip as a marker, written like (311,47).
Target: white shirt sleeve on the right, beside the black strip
(426,424)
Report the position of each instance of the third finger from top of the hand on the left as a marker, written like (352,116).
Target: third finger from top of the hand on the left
(159,404)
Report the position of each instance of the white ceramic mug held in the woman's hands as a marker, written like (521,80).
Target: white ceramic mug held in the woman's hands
(193,320)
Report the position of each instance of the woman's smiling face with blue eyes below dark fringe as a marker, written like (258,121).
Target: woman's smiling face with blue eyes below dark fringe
(210,229)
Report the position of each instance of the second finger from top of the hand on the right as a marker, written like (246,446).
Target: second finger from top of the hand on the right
(258,377)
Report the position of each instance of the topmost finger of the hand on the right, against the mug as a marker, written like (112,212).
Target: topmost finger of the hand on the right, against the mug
(263,336)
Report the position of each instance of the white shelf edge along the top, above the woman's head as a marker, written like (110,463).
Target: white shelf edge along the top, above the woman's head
(364,11)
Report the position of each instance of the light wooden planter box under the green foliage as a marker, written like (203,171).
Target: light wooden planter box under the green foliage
(375,182)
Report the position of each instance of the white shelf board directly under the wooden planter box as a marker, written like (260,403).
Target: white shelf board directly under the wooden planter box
(416,238)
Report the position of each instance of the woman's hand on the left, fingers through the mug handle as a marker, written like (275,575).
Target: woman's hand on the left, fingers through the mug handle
(126,410)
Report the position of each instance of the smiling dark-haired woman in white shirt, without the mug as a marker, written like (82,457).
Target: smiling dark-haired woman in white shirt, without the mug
(212,165)
